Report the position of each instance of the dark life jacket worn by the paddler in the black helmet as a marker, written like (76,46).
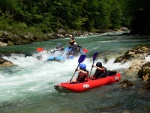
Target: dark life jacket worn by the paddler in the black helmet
(100,74)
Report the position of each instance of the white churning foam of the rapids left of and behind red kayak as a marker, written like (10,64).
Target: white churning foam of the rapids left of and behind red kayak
(36,76)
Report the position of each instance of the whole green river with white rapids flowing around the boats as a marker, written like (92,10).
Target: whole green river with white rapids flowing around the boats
(28,87)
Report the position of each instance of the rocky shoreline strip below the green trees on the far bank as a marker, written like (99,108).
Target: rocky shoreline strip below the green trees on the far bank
(9,39)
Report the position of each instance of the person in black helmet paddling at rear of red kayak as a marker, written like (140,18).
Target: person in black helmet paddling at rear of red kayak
(100,71)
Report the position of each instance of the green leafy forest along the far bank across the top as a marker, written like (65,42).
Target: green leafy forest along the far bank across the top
(45,16)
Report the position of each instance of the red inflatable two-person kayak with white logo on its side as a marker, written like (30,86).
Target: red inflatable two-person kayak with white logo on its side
(90,84)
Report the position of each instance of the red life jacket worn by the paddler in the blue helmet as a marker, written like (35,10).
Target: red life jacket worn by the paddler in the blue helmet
(82,77)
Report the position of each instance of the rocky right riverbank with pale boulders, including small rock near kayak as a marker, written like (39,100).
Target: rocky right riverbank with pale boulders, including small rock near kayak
(140,66)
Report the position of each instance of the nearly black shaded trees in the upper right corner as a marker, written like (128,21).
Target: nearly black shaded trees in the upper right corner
(140,24)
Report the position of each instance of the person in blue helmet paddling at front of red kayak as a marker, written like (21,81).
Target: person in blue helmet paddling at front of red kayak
(82,75)
